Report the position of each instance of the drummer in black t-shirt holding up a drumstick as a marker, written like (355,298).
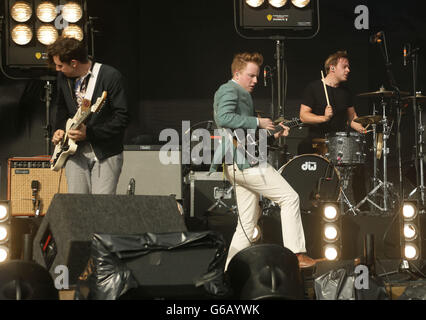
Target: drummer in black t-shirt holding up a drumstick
(327,104)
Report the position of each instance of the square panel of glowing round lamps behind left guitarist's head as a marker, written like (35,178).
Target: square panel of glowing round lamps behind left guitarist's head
(45,20)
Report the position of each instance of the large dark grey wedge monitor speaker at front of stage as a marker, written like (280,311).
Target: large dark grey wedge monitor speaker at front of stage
(65,233)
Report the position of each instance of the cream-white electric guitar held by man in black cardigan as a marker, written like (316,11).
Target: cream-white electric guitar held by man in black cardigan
(67,147)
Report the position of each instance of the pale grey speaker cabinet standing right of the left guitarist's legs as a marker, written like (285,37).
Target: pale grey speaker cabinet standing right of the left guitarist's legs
(152,177)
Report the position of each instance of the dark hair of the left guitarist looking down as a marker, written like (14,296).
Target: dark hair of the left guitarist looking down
(67,49)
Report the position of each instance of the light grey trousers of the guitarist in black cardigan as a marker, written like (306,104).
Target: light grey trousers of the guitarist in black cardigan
(87,175)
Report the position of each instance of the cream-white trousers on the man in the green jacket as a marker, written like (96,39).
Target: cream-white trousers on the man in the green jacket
(266,181)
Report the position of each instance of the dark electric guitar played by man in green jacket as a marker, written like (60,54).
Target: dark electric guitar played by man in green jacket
(249,141)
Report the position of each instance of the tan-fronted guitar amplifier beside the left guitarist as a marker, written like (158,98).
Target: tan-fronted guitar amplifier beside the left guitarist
(31,185)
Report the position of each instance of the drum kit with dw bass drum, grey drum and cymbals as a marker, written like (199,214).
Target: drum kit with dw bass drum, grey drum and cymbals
(325,176)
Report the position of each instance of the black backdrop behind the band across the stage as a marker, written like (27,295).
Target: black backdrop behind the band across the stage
(175,54)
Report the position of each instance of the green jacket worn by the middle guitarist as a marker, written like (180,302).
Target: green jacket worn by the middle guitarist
(233,109)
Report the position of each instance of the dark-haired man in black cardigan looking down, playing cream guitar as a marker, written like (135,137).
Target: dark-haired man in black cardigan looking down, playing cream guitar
(96,165)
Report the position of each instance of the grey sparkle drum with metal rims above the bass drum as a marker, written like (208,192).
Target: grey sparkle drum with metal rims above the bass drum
(346,148)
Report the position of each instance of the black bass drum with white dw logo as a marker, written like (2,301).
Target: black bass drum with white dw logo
(314,178)
